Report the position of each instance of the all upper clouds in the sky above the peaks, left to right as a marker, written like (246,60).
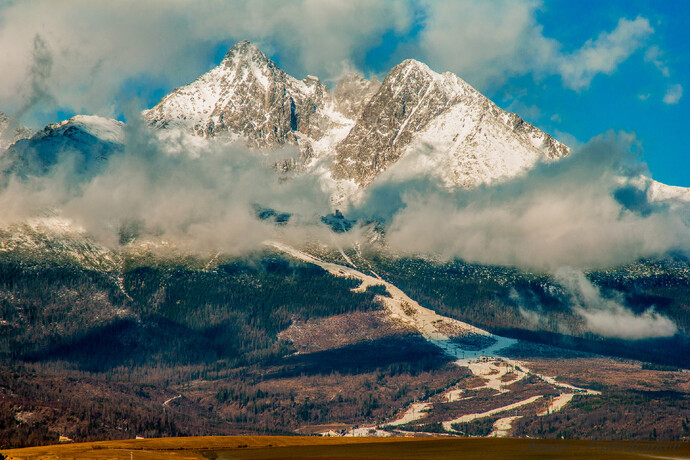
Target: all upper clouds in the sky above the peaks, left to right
(97,47)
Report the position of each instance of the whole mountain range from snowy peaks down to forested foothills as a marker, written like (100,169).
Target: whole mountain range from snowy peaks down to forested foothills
(131,329)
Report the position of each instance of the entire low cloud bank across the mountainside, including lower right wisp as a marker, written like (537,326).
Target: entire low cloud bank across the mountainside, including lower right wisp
(586,211)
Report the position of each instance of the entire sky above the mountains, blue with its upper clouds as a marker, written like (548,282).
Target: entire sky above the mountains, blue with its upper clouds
(574,69)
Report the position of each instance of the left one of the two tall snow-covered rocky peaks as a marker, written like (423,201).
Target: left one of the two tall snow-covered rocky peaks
(248,95)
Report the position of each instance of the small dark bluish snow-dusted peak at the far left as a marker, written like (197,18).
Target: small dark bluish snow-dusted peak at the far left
(86,139)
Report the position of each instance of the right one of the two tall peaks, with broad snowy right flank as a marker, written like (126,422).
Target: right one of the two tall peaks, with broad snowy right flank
(466,139)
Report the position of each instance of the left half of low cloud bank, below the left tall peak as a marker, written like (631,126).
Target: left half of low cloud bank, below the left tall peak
(199,199)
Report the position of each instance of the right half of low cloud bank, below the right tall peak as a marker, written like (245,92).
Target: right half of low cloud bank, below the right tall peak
(575,212)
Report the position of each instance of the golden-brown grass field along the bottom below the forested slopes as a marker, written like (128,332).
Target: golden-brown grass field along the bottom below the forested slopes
(309,447)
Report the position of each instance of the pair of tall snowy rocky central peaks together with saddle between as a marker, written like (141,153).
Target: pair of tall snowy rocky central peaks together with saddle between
(440,123)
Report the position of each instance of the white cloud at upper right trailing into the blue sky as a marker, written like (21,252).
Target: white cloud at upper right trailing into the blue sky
(489,41)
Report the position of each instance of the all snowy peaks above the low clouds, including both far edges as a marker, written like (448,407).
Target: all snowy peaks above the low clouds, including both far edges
(347,136)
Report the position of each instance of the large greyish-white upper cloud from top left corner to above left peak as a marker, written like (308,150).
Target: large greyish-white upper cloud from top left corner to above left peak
(96,47)
